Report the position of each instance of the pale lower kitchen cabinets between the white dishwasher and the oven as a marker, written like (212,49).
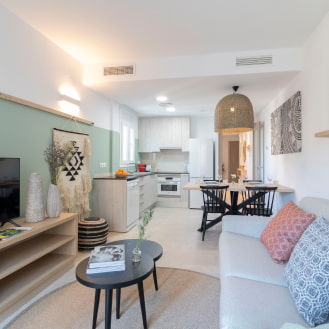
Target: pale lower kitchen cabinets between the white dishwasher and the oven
(147,193)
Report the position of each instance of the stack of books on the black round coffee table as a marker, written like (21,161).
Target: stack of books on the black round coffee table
(109,258)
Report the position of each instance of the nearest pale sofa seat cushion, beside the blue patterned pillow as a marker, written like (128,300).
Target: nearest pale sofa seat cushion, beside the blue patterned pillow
(249,304)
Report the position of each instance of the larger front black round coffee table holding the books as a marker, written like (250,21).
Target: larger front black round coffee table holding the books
(134,273)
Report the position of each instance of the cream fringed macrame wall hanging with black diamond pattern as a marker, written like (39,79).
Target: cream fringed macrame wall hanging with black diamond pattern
(74,182)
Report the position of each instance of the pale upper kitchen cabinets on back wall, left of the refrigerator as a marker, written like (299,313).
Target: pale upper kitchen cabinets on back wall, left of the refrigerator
(163,132)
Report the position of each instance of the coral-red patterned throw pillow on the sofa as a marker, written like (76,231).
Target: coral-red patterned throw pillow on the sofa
(284,230)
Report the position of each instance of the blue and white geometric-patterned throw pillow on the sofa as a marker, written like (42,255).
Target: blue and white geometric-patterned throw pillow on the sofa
(307,273)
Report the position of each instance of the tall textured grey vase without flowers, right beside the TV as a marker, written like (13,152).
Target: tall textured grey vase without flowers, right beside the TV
(34,203)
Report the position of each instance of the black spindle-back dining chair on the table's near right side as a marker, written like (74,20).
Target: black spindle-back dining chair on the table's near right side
(259,200)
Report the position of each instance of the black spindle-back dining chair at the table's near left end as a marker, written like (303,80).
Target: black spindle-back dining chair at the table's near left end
(213,203)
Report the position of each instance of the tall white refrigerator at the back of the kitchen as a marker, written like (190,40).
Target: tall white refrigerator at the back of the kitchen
(201,166)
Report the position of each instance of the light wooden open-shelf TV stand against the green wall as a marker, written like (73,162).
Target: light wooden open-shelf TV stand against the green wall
(31,260)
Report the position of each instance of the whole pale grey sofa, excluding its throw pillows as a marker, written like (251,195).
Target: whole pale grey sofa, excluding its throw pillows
(254,293)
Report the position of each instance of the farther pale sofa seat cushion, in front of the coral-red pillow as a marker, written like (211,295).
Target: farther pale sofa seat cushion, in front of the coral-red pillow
(247,257)
